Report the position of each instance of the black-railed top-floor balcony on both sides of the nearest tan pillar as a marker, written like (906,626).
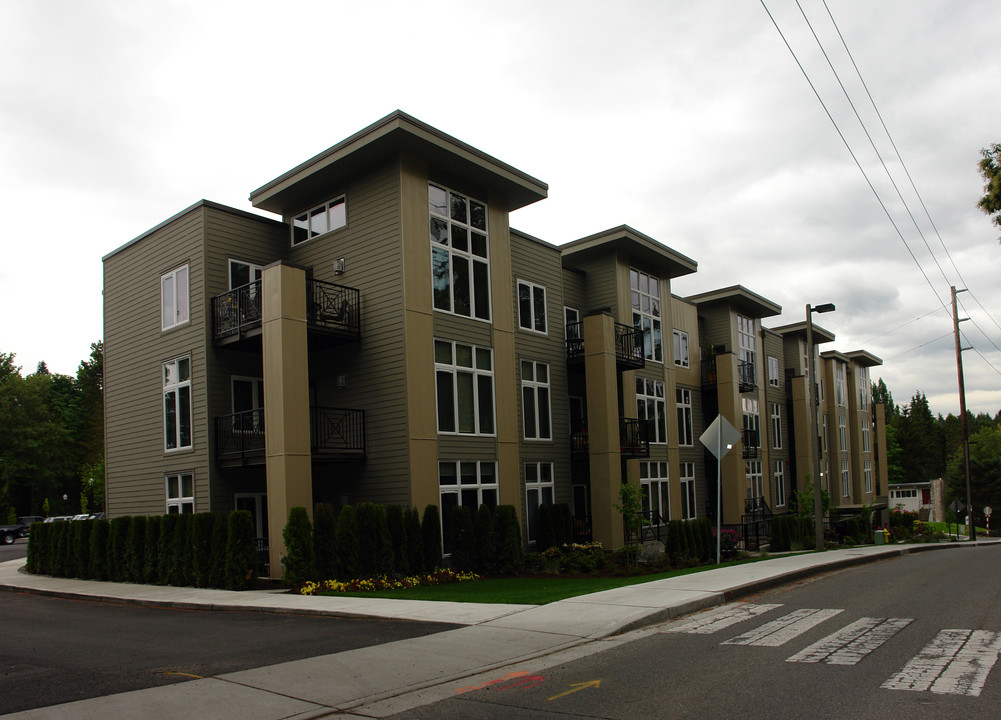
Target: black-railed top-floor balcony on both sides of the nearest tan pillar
(333,313)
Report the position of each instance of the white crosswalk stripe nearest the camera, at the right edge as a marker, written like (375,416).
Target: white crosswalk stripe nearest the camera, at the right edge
(955,662)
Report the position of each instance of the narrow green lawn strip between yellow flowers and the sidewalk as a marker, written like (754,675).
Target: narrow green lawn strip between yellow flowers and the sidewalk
(529,591)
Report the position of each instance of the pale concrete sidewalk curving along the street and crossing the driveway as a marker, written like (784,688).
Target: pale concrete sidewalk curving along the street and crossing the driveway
(382,680)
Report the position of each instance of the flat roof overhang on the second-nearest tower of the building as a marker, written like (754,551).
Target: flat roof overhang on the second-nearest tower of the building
(641,249)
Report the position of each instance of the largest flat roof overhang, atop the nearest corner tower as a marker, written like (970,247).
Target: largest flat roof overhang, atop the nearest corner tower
(396,134)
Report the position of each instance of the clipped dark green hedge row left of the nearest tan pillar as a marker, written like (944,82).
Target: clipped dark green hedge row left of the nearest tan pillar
(213,550)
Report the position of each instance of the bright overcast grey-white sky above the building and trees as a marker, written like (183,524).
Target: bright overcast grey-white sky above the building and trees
(690,122)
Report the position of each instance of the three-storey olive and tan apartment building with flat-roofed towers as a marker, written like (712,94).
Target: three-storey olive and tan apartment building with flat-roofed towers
(385,336)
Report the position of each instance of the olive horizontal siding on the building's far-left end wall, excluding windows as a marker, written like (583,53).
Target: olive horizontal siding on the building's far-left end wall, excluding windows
(135,351)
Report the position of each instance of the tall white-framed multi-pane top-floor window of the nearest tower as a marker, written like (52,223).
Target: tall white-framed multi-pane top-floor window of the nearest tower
(461,275)
